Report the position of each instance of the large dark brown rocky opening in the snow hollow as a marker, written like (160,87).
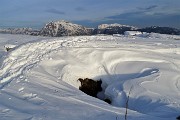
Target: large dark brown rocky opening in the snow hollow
(90,87)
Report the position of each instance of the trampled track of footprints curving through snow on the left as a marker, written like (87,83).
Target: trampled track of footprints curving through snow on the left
(27,56)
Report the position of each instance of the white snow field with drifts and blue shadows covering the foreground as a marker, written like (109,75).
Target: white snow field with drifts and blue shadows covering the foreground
(38,77)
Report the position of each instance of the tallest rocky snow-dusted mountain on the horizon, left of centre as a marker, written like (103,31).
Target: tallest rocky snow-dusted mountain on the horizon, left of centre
(64,28)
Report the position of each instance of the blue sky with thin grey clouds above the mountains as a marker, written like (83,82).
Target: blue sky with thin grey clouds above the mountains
(35,13)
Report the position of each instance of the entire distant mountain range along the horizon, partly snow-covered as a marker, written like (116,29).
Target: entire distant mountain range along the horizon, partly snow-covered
(65,28)
